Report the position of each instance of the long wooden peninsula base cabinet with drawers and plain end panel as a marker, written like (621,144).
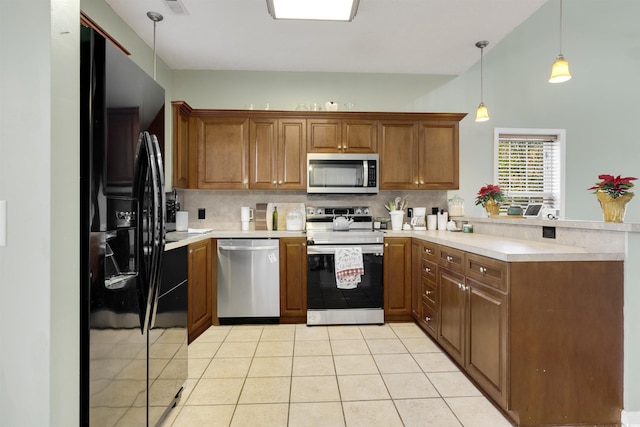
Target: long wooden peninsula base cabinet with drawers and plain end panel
(544,340)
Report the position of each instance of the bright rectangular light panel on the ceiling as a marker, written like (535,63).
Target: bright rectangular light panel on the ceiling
(323,10)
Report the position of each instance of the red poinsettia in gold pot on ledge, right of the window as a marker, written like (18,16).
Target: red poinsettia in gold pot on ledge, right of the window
(613,194)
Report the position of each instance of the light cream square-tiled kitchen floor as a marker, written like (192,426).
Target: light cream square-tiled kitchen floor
(299,376)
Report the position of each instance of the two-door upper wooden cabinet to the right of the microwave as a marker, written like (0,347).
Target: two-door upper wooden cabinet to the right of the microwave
(419,154)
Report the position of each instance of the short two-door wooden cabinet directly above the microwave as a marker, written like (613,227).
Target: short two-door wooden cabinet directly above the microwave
(342,136)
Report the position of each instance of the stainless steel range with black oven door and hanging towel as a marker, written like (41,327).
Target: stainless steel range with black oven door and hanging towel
(344,267)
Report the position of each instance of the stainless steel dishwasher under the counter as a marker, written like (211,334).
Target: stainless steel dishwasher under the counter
(248,281)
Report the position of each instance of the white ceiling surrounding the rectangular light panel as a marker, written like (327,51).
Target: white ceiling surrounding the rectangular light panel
(386,36)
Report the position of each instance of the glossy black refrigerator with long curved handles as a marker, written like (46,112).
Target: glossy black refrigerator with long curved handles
(133,342)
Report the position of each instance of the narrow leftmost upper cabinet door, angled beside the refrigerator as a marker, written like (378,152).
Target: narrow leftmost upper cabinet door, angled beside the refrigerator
(181,145)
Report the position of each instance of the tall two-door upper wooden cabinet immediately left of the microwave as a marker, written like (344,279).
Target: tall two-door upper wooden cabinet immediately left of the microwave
(278,154)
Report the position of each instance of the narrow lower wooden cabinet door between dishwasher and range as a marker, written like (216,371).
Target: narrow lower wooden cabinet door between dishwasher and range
(293,280)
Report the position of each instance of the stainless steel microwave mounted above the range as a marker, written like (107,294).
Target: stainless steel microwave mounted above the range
(329,173)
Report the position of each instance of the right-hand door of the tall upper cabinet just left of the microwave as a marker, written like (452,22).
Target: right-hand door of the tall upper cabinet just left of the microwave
(292,154)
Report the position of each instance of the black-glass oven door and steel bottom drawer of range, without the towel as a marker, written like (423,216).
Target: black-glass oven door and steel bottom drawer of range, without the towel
(363,304)
